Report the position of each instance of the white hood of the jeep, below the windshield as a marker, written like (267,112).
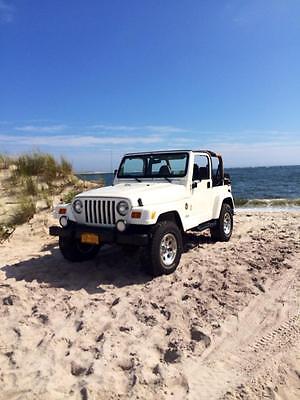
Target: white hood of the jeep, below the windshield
(149,192)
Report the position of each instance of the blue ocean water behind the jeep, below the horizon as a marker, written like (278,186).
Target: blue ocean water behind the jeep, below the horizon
(252,187)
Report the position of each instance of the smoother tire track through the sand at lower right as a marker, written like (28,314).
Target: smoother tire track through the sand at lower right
(269,326)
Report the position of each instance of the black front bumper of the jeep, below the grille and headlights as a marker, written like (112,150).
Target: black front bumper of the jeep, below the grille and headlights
(106,235)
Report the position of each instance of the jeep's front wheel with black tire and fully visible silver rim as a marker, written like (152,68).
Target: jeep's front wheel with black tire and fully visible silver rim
(164,252)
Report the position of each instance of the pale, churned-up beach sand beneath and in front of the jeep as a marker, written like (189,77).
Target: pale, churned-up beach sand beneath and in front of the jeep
(224,326)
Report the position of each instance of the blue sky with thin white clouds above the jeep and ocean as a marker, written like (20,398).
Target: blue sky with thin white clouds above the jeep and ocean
(94,79)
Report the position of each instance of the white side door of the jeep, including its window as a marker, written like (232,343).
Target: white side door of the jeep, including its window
(201,190)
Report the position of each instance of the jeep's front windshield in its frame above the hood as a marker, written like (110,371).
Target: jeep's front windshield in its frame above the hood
(164,165)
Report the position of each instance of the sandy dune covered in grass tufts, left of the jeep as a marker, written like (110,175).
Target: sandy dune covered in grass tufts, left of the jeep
(32,182)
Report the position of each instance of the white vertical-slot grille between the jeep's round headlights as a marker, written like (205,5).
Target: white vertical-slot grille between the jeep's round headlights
(100,212)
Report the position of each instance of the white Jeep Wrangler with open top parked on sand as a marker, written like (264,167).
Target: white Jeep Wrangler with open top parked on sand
(154,199)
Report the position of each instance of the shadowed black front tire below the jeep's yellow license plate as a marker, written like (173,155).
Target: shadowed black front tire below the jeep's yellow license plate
(73,250)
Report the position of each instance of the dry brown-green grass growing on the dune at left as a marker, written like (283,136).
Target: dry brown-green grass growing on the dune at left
(32,177)
